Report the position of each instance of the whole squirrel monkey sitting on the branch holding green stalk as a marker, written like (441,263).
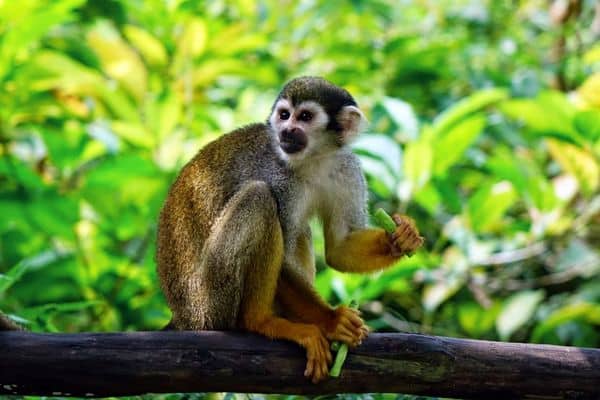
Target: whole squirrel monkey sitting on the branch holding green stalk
(234,245)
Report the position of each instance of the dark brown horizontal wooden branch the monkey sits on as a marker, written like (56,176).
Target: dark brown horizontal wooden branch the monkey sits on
(118,364)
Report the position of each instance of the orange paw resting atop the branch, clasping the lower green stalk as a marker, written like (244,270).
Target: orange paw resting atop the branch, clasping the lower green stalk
(347,327)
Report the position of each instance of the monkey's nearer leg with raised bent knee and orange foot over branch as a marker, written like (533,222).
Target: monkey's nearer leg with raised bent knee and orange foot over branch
(249,237)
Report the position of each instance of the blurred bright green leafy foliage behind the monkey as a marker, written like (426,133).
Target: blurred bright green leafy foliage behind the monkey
(485,127)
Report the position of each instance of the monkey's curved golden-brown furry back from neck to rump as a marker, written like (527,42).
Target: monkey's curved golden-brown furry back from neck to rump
(196,199)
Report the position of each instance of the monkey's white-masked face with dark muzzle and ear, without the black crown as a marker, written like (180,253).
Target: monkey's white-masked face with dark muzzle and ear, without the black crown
(304,130)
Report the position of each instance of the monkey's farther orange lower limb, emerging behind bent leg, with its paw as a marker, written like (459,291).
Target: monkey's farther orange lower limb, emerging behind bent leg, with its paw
(299,299)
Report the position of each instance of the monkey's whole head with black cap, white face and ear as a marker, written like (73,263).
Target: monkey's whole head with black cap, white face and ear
(312,116)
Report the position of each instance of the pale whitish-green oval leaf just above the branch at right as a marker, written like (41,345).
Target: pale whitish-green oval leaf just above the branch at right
(517,311)
